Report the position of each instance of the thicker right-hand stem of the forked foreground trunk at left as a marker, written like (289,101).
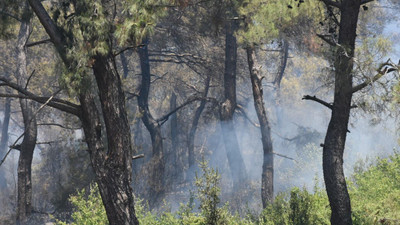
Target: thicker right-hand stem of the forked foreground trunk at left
(115,175)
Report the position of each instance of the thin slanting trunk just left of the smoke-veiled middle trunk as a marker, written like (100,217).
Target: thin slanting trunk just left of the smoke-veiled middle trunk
(193,128)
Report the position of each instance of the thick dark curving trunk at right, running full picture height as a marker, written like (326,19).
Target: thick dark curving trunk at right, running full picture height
(337,130)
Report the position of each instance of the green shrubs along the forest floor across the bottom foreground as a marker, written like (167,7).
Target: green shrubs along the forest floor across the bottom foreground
(374,192)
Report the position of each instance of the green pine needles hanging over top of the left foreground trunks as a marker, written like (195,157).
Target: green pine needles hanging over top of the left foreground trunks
(92,28)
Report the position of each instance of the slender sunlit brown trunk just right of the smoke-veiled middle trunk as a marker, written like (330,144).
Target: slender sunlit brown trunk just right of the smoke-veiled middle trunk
(267,178)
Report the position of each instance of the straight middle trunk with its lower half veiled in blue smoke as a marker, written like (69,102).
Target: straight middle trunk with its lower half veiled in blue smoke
(227,109)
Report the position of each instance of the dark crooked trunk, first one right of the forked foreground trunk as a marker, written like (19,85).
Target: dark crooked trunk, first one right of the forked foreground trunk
(157,174)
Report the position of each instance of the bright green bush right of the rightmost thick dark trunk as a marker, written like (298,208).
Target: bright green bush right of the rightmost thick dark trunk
(375,192)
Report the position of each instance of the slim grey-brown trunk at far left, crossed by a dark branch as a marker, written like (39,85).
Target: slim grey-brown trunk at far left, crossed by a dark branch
(24,200)
